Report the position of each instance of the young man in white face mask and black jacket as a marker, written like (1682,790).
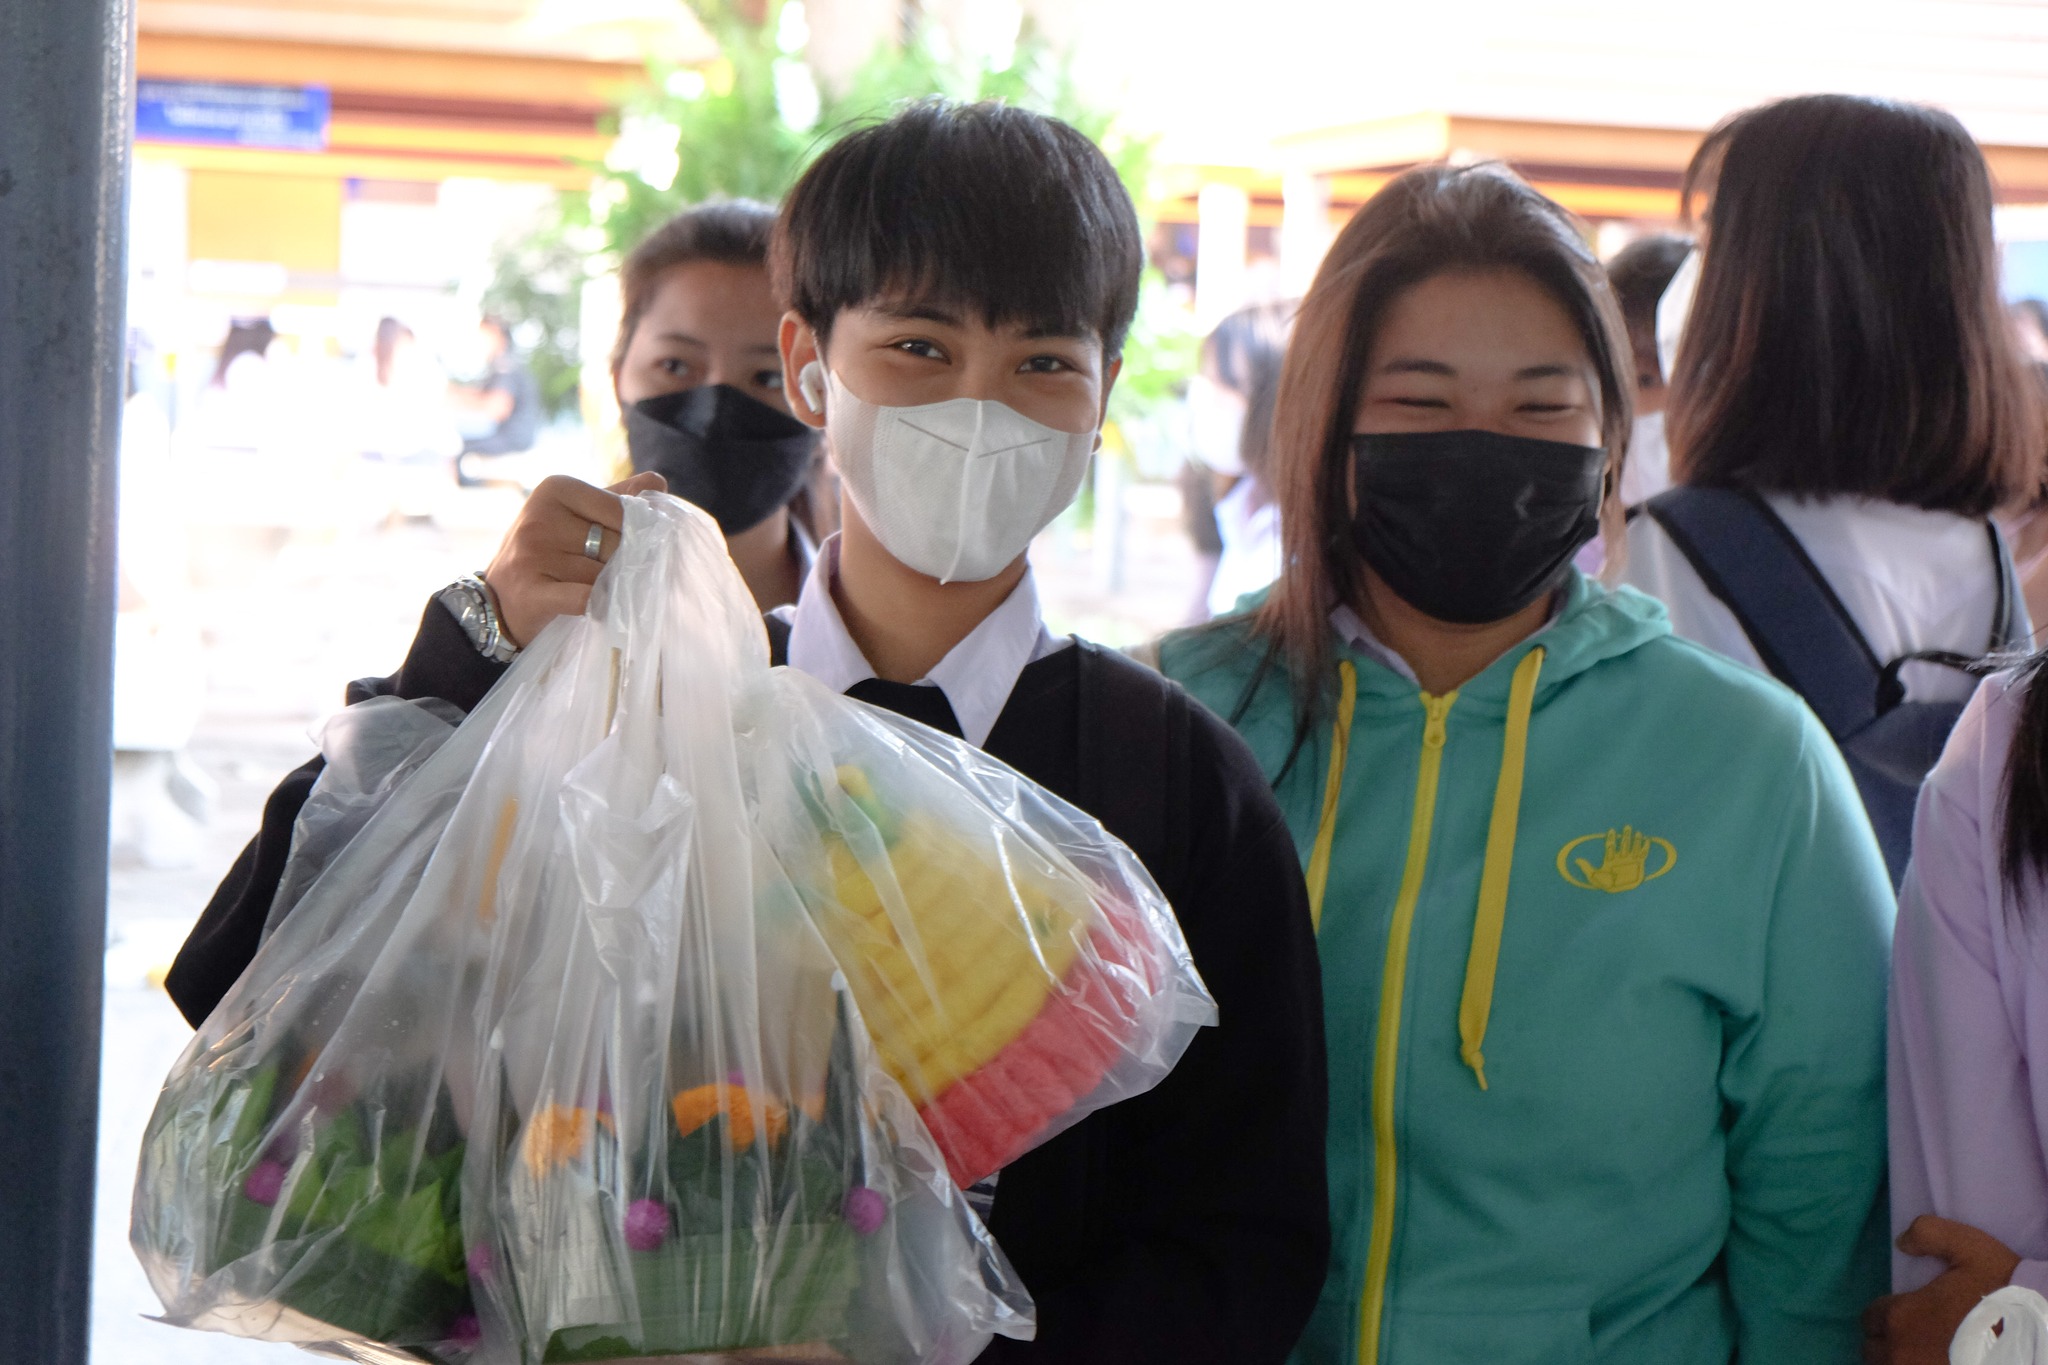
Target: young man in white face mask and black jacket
(962,281)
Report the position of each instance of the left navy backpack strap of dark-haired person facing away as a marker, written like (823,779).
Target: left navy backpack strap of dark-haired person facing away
(1799,627)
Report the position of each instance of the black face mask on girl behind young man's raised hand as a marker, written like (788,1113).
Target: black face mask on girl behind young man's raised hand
(724,451)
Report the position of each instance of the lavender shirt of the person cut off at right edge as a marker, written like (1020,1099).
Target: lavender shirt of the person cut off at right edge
(1963,1114)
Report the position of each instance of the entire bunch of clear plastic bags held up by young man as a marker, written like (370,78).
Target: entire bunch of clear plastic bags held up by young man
(607,1028)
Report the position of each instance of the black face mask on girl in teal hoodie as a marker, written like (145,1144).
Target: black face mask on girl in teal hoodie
(1471,527)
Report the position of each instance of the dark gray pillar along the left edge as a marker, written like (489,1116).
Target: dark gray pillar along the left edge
(65,146)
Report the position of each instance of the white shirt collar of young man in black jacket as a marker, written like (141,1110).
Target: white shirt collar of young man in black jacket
(978,674)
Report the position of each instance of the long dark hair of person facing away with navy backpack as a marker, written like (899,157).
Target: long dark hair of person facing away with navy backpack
(1848,333)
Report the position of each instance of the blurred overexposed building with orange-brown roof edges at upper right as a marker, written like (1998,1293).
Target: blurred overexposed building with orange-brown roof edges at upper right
(1285,118)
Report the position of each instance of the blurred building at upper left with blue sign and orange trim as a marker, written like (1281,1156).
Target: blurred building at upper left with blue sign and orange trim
(327,163)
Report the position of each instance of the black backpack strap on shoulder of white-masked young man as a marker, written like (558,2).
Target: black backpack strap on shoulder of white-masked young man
(1134,758)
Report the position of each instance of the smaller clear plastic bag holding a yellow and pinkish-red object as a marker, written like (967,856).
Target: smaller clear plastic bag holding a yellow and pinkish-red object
(1015,965)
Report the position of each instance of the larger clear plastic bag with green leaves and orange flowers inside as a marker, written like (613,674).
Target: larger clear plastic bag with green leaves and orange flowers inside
(550,1061)
